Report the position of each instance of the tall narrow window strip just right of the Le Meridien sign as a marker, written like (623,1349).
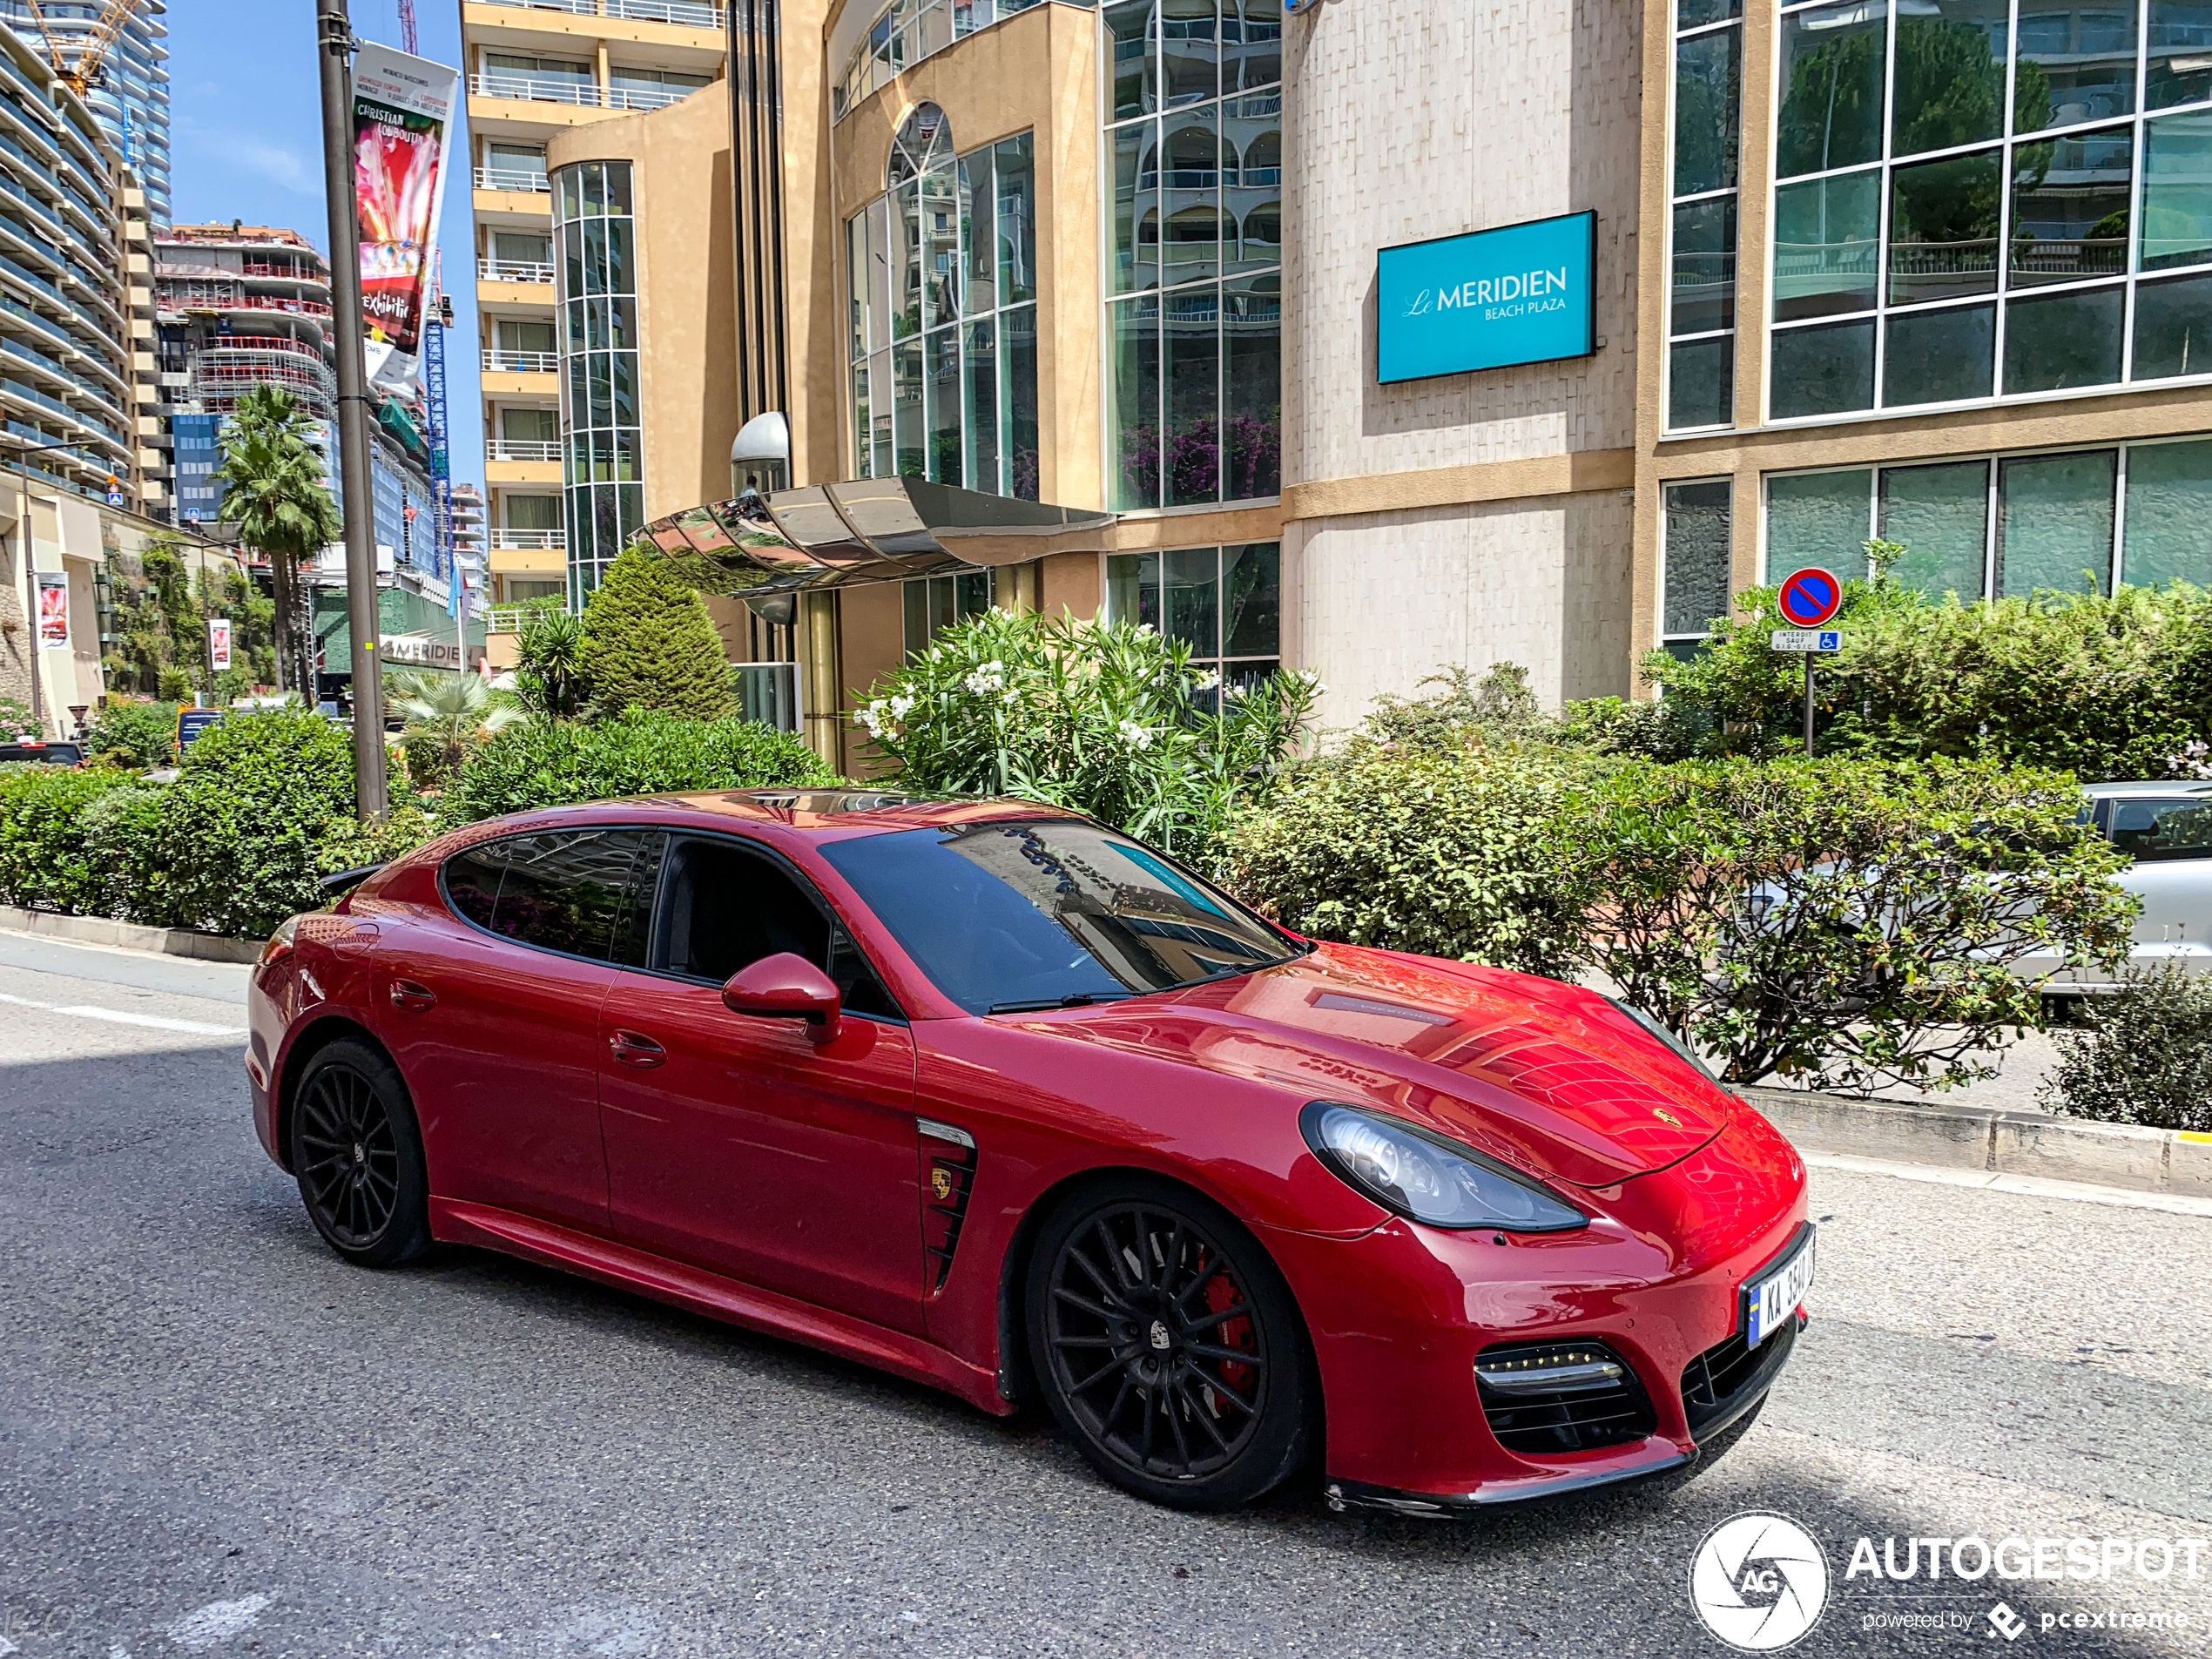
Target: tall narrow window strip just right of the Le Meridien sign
(1702,222)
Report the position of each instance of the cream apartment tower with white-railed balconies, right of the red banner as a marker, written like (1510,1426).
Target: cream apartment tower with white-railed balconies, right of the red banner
(539,70)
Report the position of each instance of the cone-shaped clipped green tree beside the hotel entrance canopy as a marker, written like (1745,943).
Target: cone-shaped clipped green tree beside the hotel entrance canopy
(649,643)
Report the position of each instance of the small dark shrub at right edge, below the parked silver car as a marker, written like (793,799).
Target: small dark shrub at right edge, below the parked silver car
(2145,1056)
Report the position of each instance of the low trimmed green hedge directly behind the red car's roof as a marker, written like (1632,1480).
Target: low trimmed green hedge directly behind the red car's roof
(541,764)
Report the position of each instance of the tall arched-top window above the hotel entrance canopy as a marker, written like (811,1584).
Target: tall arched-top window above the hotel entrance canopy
(943,304)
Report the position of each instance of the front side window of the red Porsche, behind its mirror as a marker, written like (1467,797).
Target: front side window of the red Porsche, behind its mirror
(729,908)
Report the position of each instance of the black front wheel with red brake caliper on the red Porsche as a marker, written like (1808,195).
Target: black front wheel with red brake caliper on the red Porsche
(1169,1346)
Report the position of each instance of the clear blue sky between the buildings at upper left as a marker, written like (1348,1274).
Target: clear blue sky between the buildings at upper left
(247,143)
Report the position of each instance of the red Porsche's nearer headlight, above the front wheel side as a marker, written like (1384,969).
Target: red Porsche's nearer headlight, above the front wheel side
(1428,1178)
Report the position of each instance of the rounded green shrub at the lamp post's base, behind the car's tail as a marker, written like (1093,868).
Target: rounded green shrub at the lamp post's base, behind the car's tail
(244,820)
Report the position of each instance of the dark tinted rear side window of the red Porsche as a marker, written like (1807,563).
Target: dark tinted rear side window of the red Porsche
(561,890)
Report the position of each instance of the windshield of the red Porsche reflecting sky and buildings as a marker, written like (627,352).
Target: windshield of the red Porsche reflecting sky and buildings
(1050,915)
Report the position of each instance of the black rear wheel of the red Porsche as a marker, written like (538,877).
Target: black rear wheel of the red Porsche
(359,1156)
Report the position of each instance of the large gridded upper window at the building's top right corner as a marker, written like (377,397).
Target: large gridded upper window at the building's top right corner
(1972,200)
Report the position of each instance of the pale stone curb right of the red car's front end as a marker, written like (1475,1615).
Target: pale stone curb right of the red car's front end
(2003,1142)
